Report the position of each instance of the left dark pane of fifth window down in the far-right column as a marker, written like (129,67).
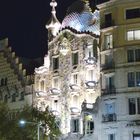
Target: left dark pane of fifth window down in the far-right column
(132,106)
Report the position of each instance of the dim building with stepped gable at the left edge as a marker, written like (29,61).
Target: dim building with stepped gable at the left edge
(16,88)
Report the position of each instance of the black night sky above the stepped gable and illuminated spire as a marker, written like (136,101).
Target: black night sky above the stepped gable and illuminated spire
(23,22)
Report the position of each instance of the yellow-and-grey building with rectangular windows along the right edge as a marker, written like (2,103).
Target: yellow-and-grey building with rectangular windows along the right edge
(119,106)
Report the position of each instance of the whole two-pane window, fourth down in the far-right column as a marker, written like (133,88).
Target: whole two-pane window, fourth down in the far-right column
(133,79)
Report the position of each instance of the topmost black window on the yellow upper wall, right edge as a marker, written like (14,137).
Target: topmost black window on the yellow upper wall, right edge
(133,13)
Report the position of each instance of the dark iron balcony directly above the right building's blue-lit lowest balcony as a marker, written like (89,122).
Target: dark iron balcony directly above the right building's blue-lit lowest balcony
(108,91)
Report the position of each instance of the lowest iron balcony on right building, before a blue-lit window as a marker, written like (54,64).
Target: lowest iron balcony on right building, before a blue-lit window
(109,117)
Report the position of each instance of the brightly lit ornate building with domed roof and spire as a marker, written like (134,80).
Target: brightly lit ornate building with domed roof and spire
(69,79)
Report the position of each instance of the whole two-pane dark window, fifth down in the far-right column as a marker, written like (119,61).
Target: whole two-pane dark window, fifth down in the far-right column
(134,106)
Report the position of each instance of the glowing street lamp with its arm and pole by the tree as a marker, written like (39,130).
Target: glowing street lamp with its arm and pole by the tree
(23,122)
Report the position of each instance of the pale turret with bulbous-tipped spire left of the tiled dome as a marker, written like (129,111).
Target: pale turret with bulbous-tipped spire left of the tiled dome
(53,24)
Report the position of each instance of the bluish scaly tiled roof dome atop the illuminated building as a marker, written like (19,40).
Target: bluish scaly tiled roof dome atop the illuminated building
(80,18)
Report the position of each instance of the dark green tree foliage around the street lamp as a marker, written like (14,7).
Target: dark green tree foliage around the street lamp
(10,129)
